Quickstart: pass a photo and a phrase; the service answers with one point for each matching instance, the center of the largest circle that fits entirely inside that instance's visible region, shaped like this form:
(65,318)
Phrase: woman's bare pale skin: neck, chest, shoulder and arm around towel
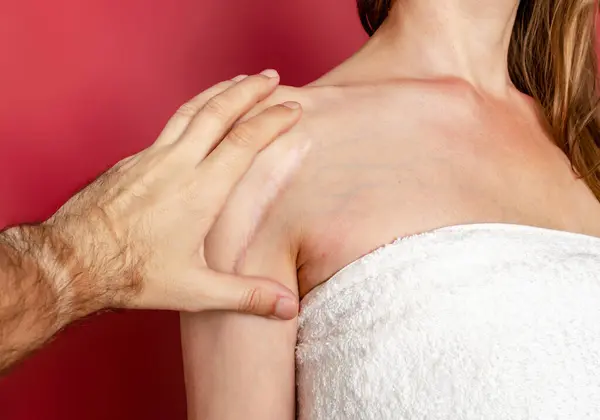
(420,129)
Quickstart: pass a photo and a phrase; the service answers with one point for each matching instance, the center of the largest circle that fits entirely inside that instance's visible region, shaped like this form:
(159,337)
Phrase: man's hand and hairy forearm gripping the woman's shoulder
(135,237)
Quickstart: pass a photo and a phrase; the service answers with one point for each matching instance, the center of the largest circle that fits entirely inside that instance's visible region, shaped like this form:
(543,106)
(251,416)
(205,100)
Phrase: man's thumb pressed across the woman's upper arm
(249,295)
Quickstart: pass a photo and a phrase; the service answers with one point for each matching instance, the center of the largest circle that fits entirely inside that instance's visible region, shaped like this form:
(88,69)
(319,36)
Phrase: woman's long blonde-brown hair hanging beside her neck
(552,57)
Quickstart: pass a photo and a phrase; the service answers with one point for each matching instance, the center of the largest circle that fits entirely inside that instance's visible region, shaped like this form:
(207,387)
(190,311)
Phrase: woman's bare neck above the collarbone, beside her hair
(466,40)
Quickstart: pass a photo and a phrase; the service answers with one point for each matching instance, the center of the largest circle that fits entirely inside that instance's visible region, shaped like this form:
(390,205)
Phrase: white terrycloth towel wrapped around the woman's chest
(481,322)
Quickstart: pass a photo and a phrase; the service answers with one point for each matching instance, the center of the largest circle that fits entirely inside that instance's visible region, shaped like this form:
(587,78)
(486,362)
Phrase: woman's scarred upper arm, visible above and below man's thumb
(242,366)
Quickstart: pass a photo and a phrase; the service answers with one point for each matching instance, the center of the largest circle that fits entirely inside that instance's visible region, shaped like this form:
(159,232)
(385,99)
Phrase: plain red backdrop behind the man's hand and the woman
(85,83)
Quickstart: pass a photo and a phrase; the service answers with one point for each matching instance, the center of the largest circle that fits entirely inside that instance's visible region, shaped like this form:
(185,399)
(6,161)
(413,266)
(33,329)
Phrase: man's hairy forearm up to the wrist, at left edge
(42,289)
